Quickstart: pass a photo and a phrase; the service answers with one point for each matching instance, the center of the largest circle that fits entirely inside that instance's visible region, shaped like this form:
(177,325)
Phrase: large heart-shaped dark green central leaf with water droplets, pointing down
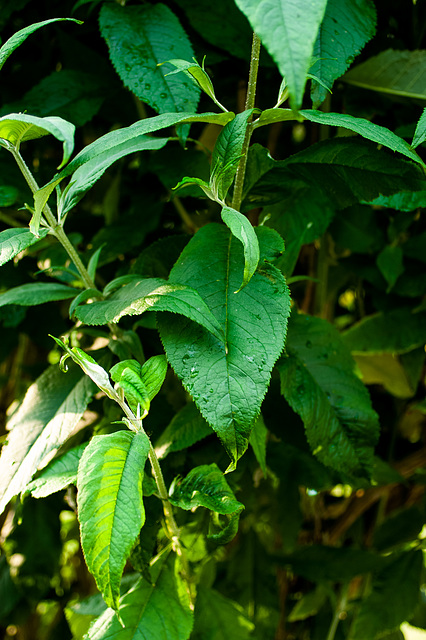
(228,382)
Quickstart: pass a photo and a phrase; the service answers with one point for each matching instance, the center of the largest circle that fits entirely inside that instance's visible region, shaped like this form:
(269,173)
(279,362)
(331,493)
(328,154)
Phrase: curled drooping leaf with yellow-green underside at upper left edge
(20,127)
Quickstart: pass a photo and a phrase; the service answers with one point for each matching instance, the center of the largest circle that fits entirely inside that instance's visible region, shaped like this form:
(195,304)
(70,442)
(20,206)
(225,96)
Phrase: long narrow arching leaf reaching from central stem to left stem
(112,146)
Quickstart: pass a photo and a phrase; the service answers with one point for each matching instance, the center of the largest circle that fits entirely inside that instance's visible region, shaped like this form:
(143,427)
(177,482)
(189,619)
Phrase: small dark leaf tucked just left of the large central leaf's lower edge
(186,428)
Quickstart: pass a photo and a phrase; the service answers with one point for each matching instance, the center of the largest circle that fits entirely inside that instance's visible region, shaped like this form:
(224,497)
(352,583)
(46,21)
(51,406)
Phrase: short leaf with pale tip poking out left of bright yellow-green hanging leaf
(58,475)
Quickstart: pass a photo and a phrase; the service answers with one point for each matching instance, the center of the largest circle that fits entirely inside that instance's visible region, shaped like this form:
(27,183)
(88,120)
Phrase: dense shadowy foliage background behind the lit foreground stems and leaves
(325,548)
